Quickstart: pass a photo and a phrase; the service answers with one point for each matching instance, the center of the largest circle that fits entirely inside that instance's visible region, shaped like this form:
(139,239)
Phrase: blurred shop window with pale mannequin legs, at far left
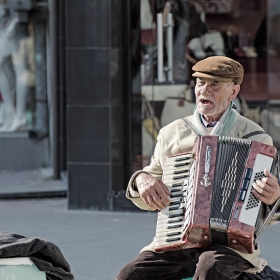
(24,116)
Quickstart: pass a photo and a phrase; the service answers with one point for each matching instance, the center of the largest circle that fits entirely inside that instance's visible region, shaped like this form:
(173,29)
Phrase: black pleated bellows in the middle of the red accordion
(230,161)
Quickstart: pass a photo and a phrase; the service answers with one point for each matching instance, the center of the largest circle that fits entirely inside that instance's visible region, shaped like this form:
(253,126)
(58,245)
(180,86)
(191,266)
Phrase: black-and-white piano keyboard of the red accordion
(171,220)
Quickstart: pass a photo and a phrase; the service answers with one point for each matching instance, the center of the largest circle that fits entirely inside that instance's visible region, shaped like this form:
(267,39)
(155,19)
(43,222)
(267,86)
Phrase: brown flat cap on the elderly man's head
(220,68)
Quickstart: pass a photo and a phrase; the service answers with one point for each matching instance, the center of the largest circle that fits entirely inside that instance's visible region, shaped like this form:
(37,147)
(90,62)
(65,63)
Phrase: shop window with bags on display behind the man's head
(169,37)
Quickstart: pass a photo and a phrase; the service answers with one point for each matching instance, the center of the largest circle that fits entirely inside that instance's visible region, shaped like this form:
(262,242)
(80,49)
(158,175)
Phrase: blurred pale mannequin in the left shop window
(18,75)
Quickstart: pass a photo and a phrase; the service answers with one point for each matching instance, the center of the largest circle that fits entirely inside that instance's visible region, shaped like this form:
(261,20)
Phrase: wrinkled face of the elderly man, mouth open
(213,97)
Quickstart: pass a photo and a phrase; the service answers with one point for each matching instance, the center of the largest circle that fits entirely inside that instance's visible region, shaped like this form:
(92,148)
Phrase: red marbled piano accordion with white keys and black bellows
(211,198)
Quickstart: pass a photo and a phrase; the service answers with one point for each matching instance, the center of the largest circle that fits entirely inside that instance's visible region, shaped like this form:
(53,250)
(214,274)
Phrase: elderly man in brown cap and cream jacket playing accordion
(217,85)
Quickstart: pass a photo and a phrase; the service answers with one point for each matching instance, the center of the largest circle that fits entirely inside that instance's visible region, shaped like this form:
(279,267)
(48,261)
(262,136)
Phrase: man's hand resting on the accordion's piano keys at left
(152,191)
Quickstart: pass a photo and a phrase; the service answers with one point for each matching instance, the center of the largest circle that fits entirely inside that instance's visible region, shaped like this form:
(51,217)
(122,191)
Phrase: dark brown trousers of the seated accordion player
(216,262)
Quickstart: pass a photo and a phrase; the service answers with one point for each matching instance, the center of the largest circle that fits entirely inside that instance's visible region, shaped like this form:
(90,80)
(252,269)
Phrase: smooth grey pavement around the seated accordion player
(96,243)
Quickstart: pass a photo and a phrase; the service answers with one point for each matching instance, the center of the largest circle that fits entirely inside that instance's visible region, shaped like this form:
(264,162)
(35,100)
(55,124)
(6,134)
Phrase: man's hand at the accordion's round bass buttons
(267,190)
